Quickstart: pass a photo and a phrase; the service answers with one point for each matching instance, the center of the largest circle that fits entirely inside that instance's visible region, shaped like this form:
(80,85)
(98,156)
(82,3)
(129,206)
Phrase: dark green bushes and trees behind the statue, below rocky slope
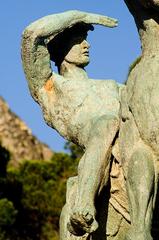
(32,196)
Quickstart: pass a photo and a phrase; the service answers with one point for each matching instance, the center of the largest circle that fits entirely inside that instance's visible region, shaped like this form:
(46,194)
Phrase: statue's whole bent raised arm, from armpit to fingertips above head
(35,56)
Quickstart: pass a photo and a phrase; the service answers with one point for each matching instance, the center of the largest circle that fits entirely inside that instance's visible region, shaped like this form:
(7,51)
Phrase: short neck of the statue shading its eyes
(71,71)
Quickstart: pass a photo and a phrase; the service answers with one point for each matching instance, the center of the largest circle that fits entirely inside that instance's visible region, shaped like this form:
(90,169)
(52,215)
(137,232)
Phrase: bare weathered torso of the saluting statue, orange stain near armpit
(73,104)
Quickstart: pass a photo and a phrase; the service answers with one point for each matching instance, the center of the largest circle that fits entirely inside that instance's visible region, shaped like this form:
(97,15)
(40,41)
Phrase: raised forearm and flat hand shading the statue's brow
(55,23)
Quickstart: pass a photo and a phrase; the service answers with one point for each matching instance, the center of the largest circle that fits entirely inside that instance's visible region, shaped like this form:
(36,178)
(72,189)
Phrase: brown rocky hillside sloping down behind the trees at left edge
(16,137)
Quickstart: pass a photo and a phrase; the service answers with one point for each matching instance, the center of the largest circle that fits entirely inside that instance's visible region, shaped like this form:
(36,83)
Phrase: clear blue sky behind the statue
(111,53)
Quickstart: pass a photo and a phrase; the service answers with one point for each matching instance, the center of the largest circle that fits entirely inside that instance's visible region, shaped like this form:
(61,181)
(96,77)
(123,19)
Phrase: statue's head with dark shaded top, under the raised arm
(71,46)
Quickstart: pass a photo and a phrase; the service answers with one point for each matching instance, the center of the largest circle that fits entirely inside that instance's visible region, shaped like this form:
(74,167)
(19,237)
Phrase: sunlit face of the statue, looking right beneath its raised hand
(78,53)
